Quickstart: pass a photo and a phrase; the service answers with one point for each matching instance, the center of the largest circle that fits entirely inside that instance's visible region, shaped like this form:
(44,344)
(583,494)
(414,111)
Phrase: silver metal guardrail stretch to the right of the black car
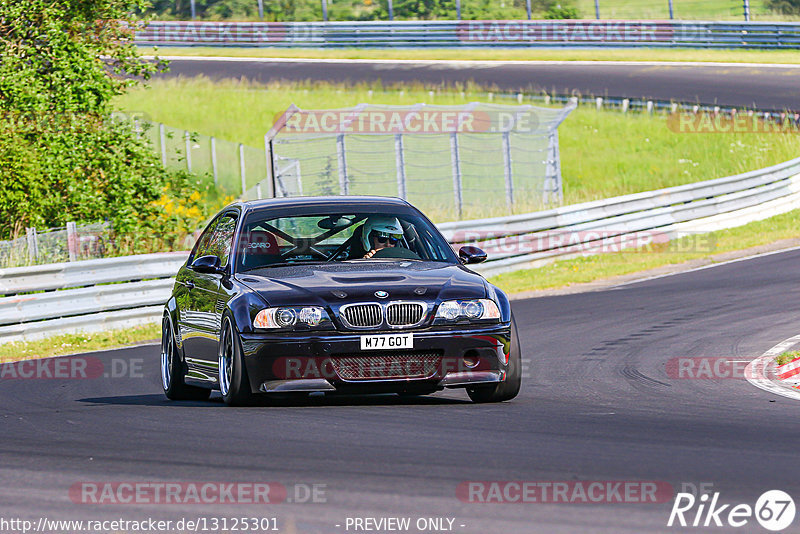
(521,241)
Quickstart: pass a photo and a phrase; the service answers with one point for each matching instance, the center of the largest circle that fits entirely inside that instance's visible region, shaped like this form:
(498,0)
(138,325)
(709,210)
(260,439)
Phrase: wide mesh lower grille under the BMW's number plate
(390,366)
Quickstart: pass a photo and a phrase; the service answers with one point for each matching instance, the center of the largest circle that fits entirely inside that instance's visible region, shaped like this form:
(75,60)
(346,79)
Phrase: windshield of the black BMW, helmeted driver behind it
(272,241)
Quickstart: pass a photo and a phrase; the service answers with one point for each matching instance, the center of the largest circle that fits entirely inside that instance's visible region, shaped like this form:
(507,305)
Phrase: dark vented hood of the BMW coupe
(339,283)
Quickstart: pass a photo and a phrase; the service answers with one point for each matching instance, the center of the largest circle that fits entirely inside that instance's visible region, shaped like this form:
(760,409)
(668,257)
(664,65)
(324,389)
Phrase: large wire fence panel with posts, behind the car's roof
(452,161)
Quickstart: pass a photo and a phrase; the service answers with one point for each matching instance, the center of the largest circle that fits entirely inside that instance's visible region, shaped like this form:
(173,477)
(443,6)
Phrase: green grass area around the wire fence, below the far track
(603,153)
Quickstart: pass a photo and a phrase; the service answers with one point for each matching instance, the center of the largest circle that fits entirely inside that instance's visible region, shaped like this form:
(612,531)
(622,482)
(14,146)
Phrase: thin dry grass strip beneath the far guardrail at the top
(496,54)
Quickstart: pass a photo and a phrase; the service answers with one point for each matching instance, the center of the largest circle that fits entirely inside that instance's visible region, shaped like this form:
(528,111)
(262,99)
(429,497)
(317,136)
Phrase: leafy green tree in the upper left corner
(61,157)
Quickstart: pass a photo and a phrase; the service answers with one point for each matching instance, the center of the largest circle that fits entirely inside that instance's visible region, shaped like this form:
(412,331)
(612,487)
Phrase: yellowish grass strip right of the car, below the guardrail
(603,266)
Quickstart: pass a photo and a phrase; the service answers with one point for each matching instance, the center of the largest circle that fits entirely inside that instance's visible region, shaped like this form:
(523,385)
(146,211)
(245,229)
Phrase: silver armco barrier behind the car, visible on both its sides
(514,242)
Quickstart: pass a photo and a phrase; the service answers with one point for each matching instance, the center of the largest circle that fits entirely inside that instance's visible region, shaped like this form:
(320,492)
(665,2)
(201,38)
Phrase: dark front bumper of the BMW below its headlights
(313,361)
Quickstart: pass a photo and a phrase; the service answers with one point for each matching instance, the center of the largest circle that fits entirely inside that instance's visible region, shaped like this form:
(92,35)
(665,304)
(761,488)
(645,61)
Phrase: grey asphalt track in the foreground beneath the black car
(596,404)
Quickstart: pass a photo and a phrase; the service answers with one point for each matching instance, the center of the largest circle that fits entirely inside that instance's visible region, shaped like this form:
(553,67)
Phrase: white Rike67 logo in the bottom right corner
(774,510)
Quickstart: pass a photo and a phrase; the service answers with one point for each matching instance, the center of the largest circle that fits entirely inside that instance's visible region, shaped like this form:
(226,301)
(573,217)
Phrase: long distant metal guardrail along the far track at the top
(474,33)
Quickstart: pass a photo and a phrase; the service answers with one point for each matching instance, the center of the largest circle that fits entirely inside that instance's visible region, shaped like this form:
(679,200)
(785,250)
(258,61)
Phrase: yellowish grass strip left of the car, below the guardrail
(65,344)
